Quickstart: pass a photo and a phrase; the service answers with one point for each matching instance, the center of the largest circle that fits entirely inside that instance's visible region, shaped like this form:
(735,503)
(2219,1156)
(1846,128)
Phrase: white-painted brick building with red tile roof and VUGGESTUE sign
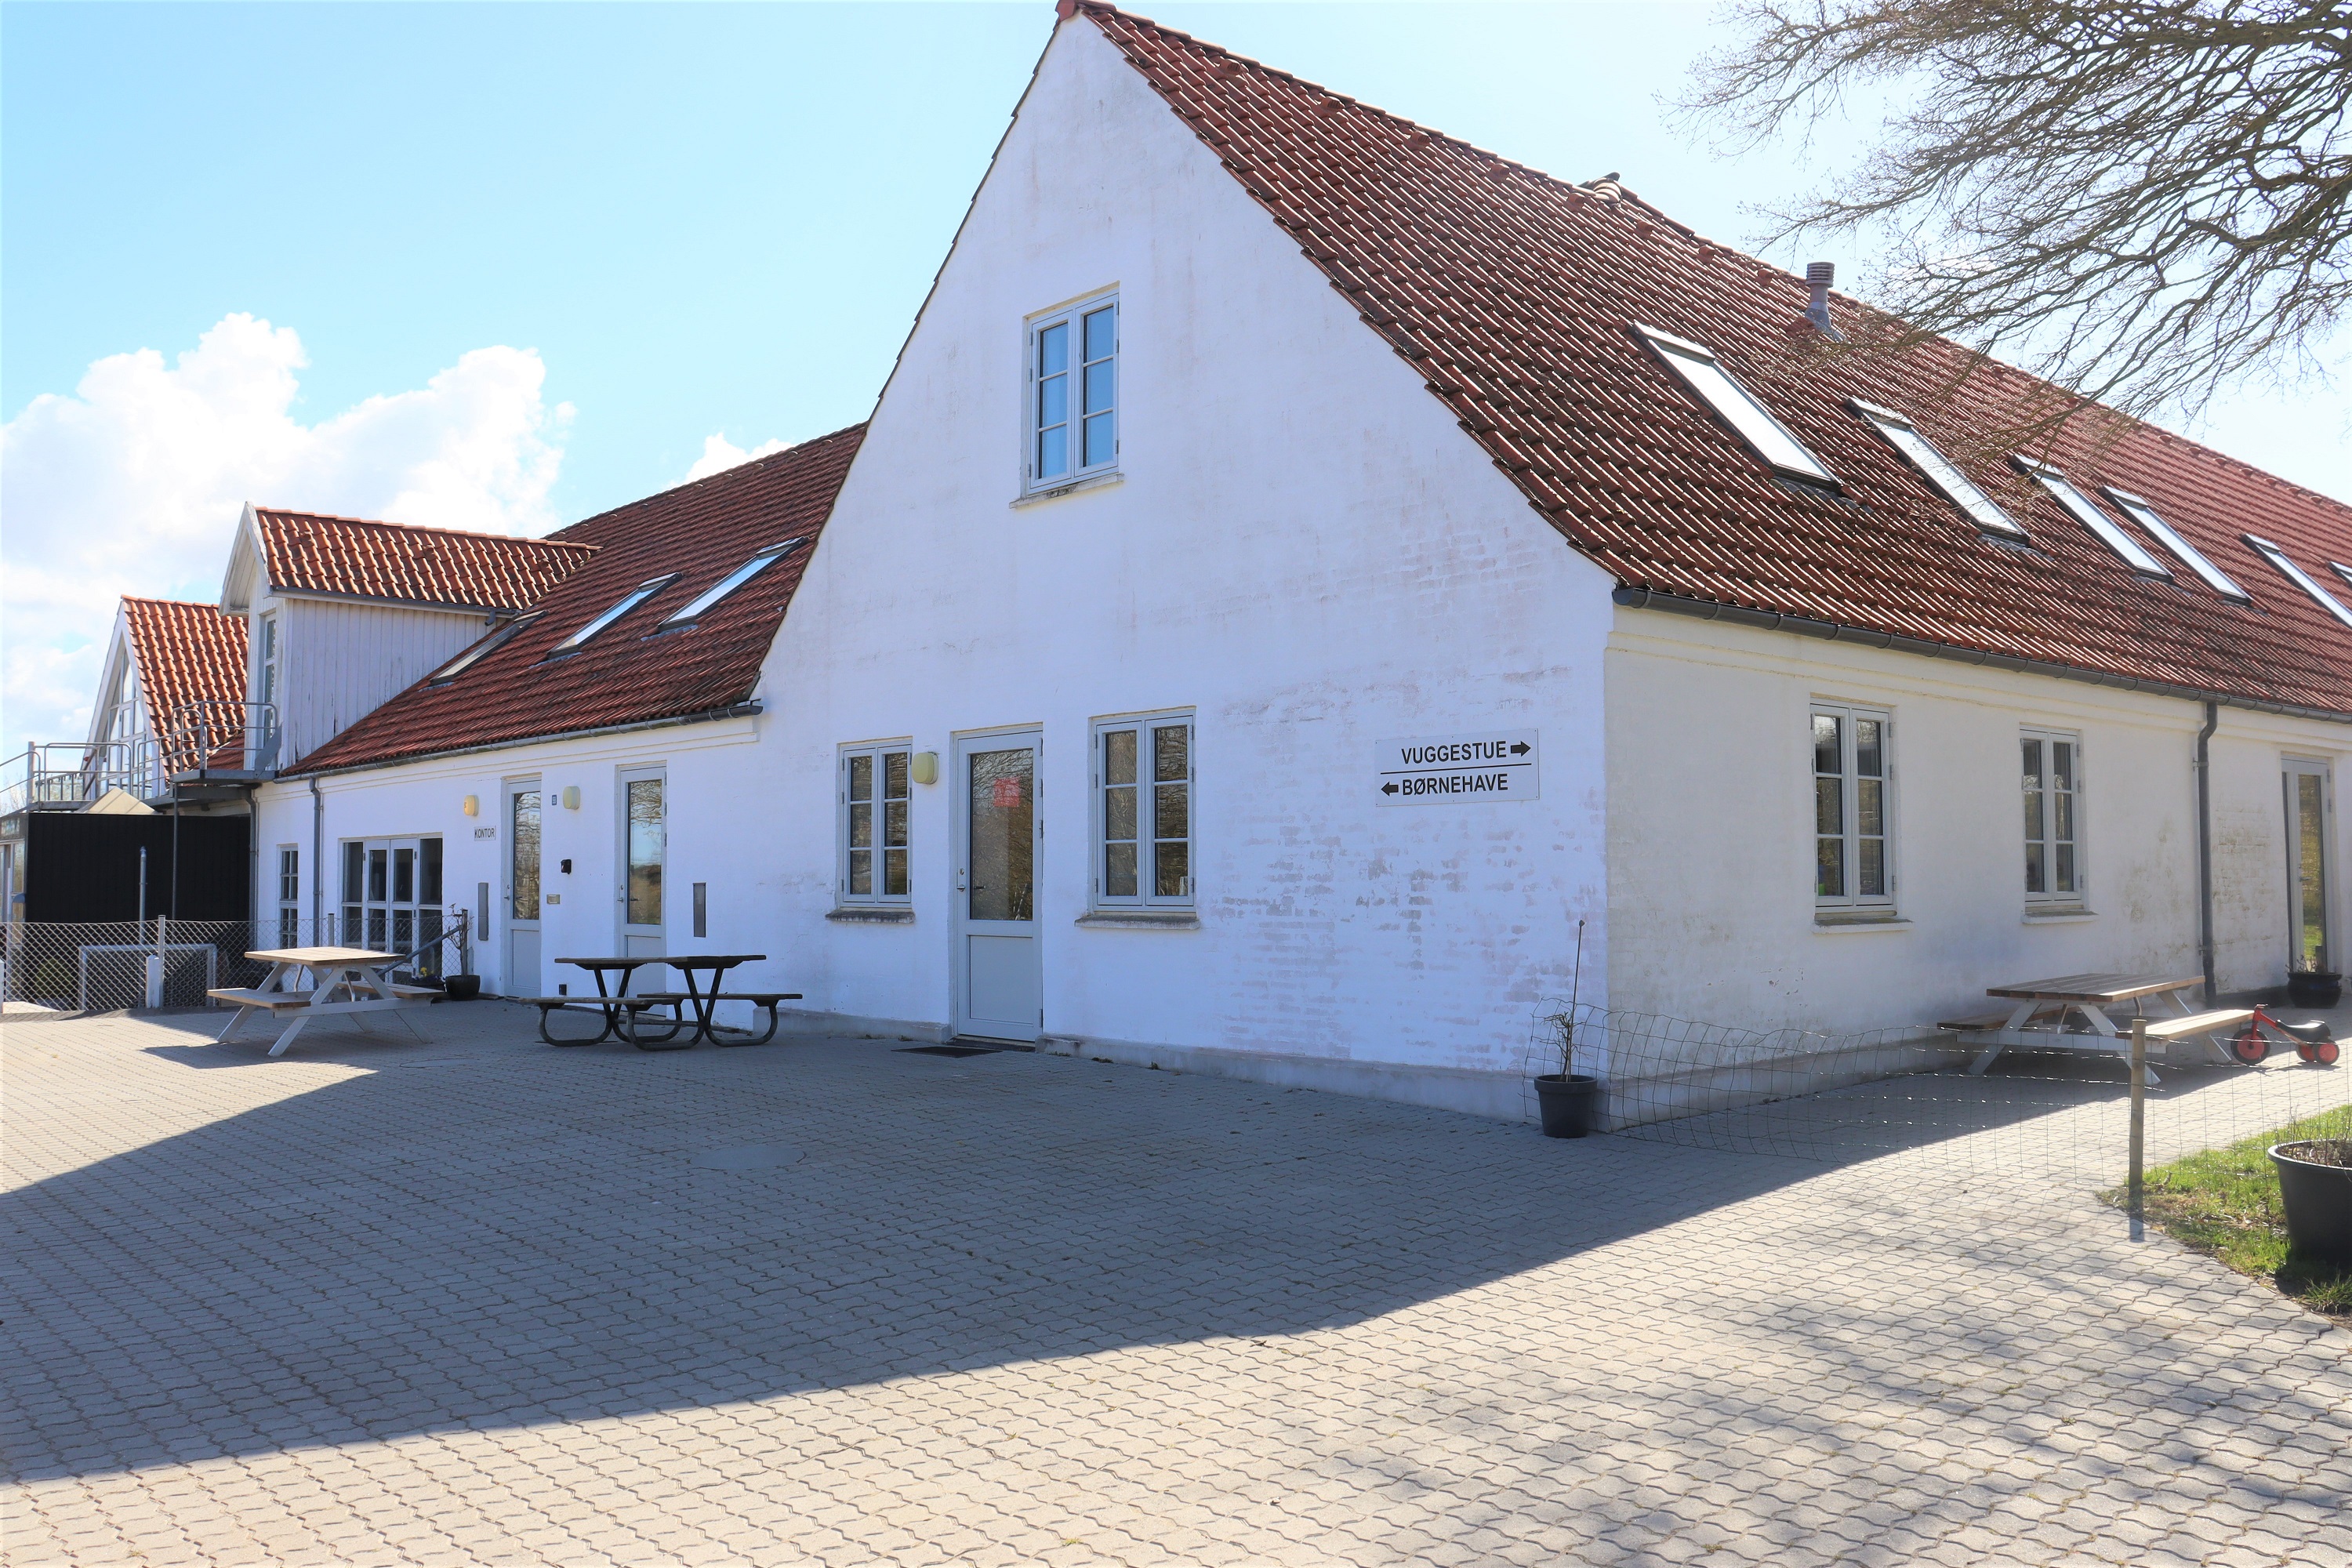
(1304,565)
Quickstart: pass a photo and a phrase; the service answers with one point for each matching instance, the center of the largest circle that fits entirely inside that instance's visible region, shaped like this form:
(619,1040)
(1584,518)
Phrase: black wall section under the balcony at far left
(83,866)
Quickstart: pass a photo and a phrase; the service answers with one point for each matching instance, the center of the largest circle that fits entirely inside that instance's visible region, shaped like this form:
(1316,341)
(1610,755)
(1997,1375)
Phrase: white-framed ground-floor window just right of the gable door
(1144,812)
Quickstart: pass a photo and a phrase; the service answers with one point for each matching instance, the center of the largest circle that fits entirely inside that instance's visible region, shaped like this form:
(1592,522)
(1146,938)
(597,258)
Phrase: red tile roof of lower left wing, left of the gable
(624,674)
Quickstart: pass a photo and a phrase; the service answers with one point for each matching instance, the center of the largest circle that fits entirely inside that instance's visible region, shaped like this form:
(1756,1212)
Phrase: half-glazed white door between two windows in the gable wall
(1001,831)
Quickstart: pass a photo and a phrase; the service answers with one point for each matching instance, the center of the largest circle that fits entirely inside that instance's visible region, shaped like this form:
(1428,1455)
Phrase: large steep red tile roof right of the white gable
(1514,297)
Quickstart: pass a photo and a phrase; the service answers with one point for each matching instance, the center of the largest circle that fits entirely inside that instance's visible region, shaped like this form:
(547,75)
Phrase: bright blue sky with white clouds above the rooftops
(646,225)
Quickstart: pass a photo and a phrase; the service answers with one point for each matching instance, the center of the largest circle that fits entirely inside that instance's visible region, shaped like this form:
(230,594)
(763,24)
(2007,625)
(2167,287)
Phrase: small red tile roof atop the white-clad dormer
(387,561)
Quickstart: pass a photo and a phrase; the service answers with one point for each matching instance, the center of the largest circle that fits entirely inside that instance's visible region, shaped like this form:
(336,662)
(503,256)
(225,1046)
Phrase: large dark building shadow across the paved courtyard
(530,1235)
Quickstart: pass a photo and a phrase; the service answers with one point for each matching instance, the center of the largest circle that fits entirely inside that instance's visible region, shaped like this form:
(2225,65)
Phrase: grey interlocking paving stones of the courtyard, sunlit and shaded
(476,1304)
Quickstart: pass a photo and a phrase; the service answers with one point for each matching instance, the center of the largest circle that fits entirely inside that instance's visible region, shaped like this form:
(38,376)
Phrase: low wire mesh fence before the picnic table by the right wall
(1843,1097)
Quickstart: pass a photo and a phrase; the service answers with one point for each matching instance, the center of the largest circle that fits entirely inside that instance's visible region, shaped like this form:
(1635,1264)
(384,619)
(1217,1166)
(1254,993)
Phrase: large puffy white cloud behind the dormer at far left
(135,485)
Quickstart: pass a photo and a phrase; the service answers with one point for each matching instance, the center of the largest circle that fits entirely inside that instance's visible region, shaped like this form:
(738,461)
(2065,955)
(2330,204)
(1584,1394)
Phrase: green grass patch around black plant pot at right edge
(2226,1205)
